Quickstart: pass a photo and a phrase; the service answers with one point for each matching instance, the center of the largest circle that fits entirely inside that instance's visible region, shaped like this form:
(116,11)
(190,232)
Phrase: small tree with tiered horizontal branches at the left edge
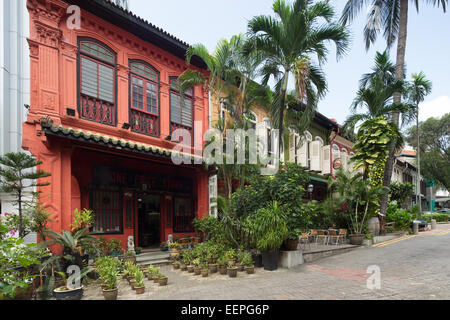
(18,175)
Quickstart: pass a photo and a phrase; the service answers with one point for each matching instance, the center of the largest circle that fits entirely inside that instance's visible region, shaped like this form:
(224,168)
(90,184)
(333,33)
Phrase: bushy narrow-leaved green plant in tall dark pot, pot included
(269,225)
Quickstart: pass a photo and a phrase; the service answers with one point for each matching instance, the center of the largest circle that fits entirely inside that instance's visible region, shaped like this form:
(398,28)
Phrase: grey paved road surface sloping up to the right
(412,267)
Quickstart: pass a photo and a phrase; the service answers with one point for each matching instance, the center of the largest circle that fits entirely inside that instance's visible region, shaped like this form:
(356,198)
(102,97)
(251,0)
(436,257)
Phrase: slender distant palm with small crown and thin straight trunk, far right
(418,88)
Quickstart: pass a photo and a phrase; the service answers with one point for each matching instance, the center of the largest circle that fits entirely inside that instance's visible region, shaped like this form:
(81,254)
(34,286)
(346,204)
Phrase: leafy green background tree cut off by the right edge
(434,148)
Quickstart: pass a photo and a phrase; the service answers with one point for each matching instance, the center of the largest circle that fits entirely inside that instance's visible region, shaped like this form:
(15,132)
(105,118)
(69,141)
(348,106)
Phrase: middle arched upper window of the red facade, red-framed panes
(144,98)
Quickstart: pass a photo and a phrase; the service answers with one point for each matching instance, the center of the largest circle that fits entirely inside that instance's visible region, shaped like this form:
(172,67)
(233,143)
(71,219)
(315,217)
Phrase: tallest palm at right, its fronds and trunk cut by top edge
(391,18)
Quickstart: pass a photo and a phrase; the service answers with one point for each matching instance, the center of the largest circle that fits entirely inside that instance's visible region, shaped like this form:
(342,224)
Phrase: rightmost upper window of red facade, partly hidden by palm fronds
(181,113)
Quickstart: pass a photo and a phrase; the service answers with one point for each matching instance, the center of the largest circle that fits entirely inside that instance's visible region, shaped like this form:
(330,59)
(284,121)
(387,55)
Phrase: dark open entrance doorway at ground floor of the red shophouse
(149,220)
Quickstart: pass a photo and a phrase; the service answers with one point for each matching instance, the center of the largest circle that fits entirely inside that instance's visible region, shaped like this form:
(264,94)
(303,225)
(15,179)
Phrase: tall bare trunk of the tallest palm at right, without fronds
(399,72)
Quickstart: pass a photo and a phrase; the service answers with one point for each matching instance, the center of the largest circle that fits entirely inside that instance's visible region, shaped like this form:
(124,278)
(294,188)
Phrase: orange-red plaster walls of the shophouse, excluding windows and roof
(53,89)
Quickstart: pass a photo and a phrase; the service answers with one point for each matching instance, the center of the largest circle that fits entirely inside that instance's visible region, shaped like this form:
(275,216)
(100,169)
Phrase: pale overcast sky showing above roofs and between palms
(428,44)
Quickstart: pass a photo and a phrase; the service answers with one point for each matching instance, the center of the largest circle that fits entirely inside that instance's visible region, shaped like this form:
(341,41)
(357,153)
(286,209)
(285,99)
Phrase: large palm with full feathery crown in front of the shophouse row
(287,43)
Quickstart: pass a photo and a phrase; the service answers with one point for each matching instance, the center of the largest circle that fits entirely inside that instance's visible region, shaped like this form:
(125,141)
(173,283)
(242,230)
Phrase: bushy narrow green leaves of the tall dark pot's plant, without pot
(269,227)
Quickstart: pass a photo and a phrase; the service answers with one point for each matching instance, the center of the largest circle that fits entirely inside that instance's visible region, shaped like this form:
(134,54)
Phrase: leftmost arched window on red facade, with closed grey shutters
(97,82)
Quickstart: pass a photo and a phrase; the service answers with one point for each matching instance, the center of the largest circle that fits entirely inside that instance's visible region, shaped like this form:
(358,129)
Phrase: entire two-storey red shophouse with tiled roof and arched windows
(103,109)
